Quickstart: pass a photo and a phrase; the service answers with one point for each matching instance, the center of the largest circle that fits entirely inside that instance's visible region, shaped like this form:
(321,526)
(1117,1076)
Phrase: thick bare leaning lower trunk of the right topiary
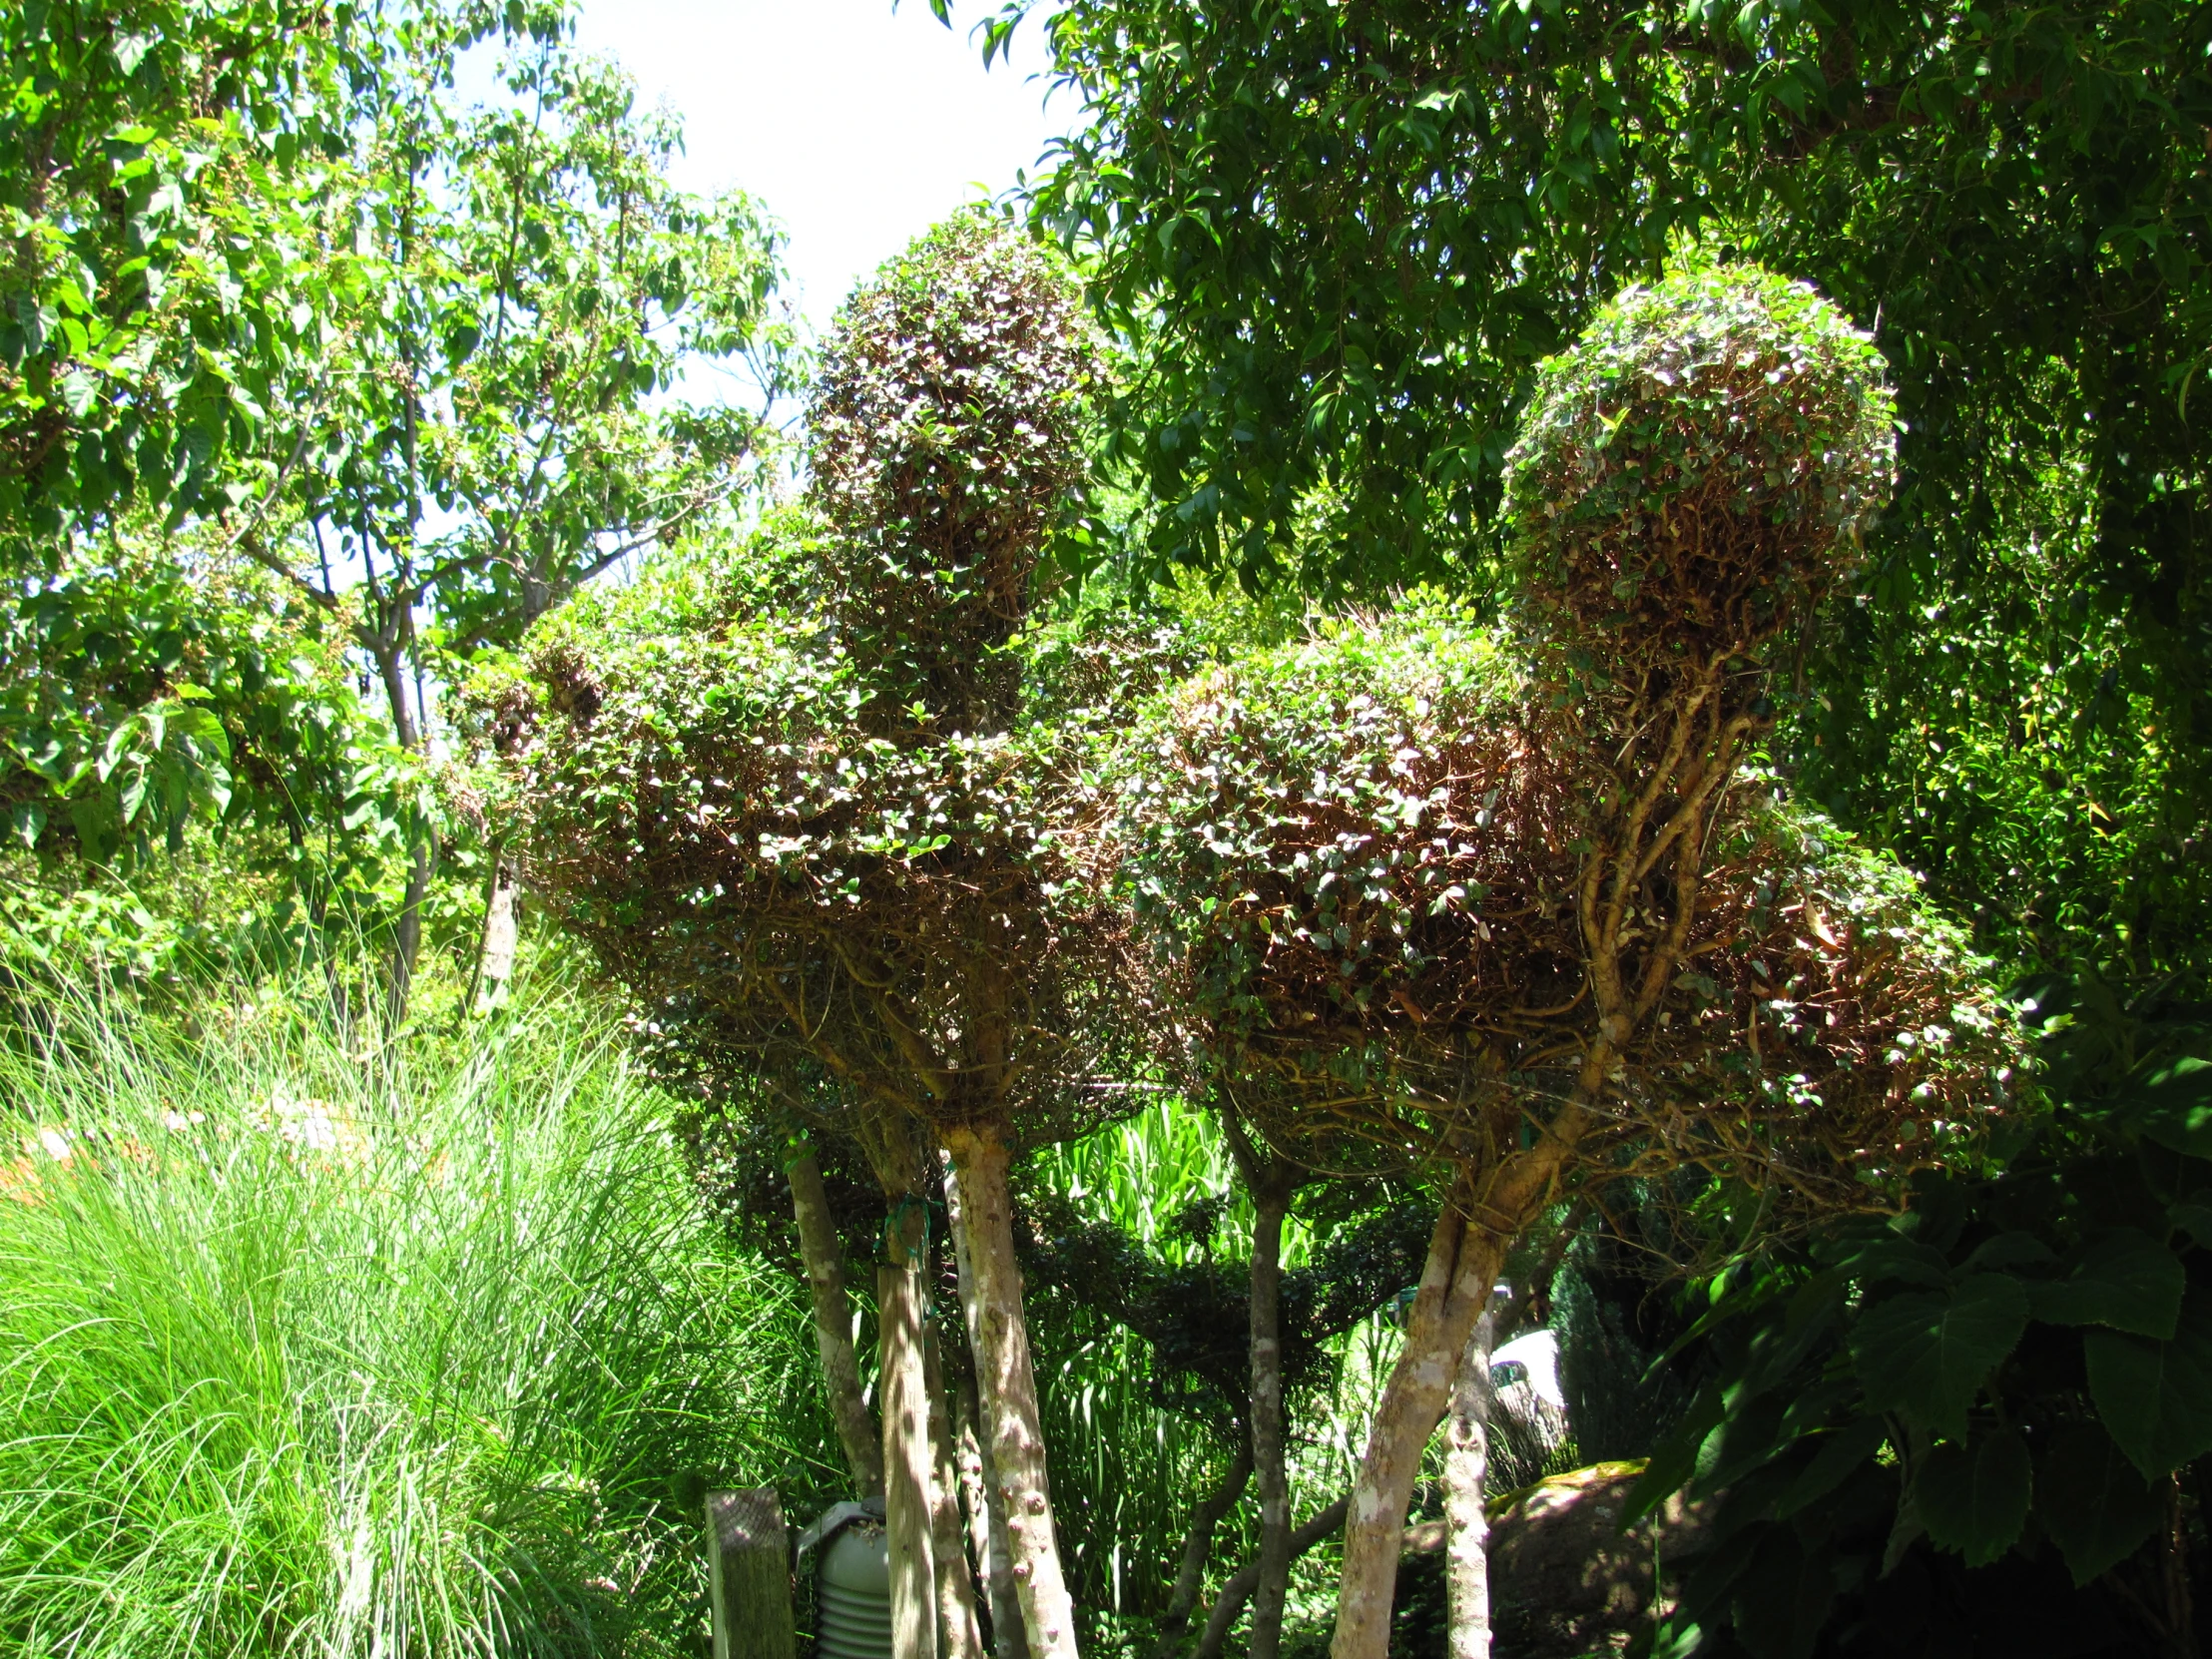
(1454,1291)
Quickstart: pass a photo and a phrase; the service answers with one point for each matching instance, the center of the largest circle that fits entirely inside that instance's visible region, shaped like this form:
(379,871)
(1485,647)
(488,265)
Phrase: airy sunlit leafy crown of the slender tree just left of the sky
(508,359)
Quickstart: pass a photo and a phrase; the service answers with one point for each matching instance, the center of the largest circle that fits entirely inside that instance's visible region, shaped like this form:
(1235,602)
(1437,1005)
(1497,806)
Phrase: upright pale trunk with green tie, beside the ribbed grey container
(906,1437)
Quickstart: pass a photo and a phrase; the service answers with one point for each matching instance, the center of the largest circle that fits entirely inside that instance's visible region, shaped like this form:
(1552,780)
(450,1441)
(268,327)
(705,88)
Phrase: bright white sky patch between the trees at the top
(851,125)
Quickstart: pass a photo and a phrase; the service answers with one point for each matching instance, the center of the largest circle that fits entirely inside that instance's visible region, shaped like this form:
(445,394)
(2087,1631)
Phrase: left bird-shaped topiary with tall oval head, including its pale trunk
(800,804)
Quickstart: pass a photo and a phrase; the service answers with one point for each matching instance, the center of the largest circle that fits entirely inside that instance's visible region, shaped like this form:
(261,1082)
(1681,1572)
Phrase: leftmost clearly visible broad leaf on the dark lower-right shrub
(1928,1355)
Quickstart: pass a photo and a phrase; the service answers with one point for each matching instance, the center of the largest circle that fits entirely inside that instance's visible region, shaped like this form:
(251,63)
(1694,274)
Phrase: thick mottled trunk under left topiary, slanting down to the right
(1010,1386)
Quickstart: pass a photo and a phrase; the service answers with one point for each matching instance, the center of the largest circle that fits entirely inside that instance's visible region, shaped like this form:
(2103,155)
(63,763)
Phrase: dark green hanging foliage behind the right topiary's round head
(1342,240)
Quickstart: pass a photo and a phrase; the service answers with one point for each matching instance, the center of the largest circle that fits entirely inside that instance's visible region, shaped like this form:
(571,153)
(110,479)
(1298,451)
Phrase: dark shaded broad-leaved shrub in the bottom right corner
(2016,1373)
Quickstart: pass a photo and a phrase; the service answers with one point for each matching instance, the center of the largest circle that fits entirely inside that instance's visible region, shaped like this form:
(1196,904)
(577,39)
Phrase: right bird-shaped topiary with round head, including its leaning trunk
(1521,901)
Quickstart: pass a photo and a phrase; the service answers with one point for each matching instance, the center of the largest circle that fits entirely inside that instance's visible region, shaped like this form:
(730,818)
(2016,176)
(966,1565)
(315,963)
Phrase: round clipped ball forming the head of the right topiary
(1698,470)
